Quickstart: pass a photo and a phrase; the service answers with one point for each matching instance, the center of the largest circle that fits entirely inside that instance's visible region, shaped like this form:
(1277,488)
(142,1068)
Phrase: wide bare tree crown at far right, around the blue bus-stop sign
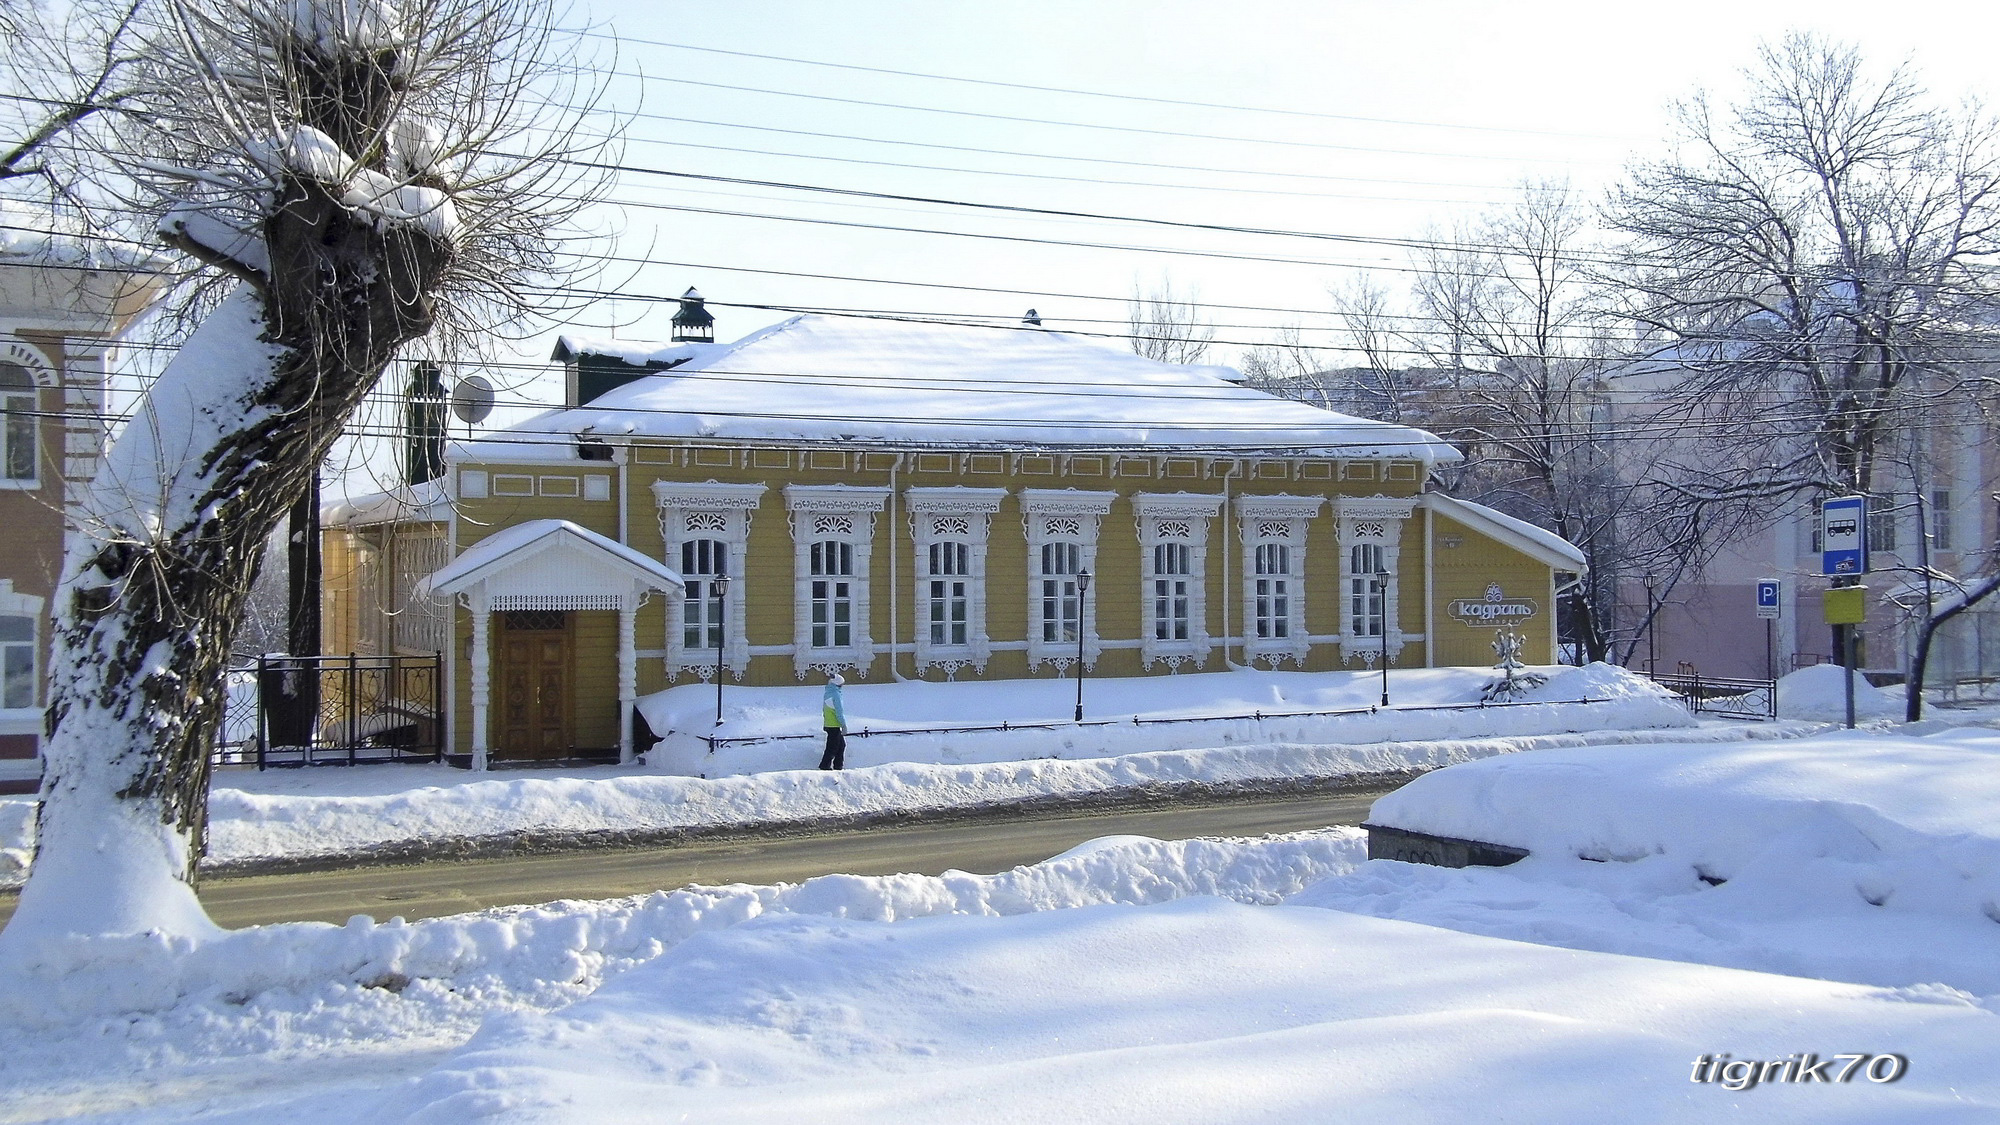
(1819,259)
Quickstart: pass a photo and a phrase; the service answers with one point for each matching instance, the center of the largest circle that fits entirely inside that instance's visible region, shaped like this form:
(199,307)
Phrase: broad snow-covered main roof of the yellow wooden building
(897,381)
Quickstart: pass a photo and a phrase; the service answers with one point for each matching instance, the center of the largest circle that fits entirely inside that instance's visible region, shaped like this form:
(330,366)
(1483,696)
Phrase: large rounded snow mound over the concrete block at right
(1849,858)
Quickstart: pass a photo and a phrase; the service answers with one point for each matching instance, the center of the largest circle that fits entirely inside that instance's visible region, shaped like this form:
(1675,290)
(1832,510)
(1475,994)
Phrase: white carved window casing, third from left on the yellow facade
(951,529)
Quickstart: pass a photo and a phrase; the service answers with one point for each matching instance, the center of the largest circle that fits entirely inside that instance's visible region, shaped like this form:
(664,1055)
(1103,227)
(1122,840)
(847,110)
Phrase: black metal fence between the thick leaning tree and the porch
(289,712)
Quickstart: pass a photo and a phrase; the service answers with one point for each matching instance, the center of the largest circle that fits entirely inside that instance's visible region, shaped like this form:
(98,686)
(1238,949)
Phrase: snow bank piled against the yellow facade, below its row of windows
(779,728)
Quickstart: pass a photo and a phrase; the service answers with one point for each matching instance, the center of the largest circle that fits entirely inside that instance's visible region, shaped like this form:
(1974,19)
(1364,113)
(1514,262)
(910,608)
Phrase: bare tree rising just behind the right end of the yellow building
(1519,325)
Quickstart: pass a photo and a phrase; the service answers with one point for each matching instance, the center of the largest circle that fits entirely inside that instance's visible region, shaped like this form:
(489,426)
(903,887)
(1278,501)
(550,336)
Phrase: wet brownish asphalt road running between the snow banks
(985,844)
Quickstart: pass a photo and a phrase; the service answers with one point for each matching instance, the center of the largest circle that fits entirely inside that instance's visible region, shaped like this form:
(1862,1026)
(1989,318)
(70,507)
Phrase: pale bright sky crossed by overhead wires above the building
(1327,121)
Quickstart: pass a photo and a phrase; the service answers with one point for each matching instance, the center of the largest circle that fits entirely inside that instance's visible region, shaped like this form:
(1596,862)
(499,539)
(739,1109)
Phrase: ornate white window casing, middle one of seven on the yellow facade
(1063,539)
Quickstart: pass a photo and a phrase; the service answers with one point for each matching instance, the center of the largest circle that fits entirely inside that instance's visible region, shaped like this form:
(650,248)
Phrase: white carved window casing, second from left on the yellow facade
(833,541)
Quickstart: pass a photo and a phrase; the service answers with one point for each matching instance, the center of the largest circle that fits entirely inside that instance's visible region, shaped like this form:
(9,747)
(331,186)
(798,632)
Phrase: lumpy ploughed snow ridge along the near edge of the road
(467,966)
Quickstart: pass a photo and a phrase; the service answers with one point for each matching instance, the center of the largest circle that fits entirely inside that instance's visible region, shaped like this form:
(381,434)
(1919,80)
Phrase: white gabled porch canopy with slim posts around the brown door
(551,566)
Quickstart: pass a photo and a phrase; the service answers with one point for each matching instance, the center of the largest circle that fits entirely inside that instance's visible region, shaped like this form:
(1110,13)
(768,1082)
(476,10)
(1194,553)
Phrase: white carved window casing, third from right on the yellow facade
(1173,531)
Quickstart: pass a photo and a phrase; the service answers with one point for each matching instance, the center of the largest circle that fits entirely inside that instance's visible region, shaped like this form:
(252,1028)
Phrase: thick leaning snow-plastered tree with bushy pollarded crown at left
(361,177)
